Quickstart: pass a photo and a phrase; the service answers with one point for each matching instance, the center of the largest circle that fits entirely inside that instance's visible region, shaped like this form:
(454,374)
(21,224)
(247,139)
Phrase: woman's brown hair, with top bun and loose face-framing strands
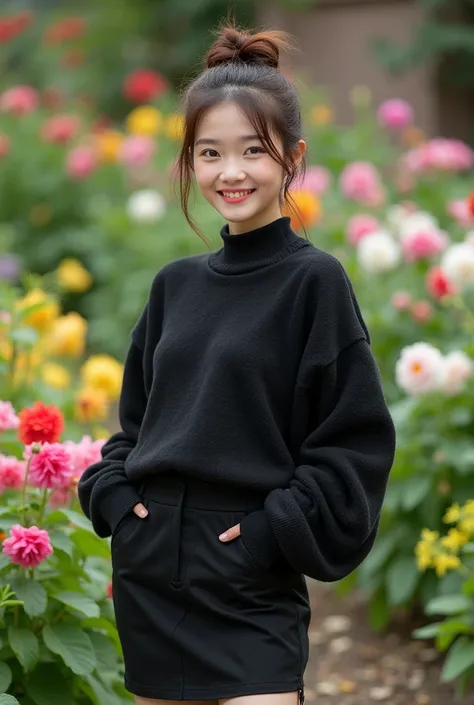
(244,68)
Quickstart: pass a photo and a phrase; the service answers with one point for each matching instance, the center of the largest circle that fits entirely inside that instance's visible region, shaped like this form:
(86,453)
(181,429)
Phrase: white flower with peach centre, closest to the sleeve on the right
(420,369)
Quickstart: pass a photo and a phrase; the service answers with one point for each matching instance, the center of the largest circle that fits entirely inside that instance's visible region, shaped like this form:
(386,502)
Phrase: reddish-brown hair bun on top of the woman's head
(260,48)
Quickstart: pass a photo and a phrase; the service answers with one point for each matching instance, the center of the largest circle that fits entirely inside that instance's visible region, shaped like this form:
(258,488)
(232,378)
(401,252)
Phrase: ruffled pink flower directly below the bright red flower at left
(51,467)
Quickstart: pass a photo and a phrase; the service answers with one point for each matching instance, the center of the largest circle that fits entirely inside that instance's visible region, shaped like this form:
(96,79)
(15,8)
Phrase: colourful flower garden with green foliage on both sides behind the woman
(88,214)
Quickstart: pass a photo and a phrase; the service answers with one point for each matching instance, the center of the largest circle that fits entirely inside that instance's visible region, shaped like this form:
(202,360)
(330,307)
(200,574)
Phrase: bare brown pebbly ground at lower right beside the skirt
(349,664)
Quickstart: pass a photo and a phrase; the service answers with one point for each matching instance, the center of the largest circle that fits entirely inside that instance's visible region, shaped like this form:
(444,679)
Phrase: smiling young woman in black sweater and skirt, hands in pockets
(256,443)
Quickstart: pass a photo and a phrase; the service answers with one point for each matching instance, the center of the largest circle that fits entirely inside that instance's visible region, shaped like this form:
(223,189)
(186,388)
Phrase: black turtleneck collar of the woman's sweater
(256,248)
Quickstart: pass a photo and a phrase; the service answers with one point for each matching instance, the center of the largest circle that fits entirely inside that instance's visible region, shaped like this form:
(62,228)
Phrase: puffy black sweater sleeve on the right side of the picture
(325,522)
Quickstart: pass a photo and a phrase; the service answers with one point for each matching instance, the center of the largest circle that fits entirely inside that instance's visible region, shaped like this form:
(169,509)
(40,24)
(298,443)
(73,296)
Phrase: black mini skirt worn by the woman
(198,619)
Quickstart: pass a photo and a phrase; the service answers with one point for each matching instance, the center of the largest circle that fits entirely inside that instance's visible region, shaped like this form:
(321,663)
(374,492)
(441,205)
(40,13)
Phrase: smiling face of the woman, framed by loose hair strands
(234,172)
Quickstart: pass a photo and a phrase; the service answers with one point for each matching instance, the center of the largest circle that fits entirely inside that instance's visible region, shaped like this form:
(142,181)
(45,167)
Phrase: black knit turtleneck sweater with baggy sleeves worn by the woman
(251,366)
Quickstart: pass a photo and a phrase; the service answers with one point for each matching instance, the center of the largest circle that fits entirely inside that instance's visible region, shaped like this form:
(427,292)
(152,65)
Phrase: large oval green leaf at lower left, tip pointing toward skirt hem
(73,645)
